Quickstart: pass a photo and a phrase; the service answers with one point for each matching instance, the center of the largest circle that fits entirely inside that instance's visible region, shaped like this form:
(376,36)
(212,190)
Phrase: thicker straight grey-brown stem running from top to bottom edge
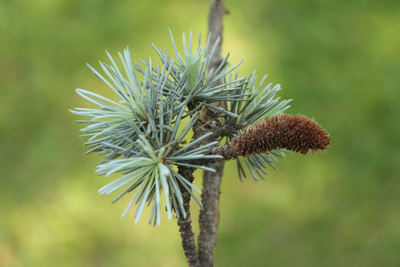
(209,215)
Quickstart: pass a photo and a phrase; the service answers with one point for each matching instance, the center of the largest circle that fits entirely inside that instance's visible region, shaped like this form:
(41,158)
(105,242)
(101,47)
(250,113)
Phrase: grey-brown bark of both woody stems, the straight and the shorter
(209,215)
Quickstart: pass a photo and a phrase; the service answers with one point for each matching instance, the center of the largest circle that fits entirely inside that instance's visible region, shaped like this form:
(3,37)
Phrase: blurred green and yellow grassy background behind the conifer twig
(338,60)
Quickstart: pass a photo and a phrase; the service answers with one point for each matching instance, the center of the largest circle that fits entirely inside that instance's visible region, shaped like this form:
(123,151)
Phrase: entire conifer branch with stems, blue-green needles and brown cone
(141,134)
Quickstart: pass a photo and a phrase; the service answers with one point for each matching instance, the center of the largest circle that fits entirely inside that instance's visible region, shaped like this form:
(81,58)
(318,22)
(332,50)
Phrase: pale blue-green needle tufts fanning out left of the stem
(140,136)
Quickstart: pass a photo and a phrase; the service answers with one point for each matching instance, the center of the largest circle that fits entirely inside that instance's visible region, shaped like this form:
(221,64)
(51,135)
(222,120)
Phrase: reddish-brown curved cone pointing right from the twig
(296,133)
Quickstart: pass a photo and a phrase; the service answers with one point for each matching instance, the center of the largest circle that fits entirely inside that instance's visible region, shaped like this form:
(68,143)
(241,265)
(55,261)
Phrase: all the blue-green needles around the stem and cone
(141,135)
